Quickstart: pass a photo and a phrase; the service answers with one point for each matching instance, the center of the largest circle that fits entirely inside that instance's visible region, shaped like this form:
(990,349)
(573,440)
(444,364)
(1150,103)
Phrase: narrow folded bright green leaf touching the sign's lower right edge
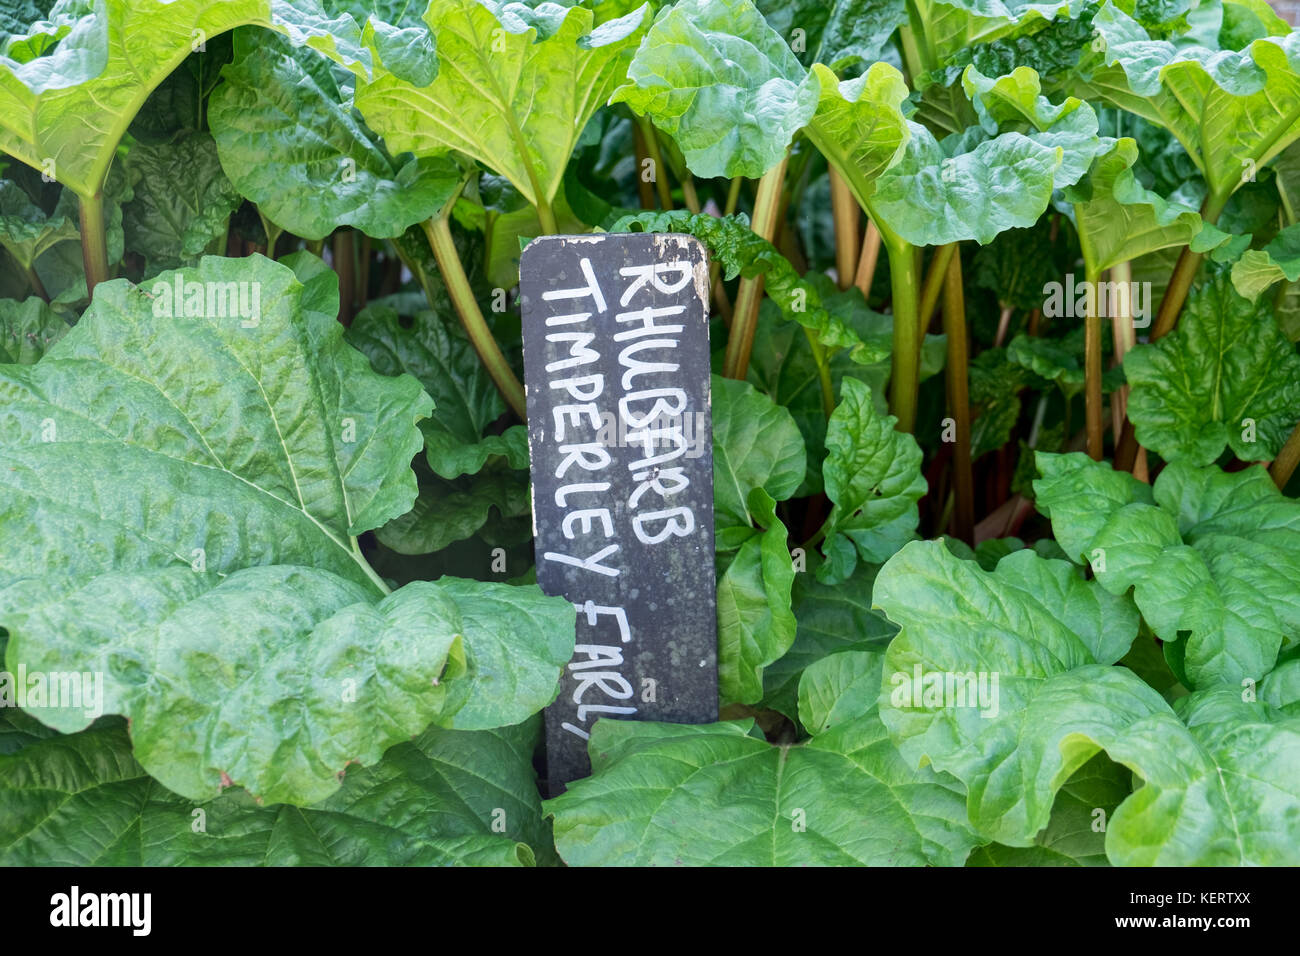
(756,625)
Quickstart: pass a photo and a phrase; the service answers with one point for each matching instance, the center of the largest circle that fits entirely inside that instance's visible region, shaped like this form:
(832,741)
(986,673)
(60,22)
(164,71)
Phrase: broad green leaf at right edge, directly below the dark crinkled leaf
(1214,557)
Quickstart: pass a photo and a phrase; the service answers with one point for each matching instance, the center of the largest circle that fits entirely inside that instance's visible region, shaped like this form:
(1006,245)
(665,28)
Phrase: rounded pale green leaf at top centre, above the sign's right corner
(716,77)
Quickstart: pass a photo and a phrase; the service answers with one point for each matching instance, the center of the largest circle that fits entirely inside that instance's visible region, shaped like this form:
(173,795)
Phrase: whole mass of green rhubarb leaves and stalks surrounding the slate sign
(1007,427)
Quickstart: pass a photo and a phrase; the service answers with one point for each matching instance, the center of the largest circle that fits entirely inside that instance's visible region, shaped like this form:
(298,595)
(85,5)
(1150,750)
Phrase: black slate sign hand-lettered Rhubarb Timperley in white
(617,373)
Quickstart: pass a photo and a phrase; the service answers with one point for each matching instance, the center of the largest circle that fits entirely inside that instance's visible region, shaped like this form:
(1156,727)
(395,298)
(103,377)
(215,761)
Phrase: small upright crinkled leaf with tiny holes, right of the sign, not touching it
(874,482)
